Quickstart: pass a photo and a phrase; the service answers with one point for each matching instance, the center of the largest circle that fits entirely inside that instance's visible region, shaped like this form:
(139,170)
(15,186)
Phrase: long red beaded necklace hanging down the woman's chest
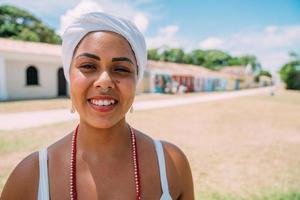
(73,190)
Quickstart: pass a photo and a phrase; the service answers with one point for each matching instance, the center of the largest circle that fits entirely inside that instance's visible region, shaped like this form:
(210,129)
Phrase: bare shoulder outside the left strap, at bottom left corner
(22,182)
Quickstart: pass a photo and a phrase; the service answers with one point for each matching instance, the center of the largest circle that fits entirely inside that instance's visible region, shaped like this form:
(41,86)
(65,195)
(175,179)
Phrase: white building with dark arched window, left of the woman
(30,70)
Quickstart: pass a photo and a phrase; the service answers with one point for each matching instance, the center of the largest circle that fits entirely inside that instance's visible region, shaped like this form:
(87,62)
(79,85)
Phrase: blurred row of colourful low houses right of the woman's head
(165,77)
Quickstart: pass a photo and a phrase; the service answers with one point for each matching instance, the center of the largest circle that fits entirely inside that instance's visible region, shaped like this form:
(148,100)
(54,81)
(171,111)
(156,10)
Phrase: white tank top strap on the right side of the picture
(162,170)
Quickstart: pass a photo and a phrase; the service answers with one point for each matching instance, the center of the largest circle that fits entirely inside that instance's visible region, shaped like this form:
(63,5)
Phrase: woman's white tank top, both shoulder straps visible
(43,192)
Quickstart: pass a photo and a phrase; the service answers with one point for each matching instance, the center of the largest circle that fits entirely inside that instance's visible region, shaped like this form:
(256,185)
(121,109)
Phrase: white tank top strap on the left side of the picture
(43,193)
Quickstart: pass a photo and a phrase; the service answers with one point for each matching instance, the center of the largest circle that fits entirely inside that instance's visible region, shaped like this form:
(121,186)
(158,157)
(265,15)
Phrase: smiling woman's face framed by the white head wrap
(103,71)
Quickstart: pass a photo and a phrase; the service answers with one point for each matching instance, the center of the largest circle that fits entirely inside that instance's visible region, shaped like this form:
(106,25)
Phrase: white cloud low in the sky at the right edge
(270,45)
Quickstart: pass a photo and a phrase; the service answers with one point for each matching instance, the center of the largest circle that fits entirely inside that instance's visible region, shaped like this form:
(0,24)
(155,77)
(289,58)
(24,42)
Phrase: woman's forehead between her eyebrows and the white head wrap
(103,42)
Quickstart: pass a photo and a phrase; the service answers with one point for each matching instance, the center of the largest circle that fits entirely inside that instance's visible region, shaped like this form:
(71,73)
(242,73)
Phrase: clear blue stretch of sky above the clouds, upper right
(223,17)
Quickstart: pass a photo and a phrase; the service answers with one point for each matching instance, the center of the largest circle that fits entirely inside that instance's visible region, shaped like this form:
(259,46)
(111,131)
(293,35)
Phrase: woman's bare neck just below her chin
(107,141)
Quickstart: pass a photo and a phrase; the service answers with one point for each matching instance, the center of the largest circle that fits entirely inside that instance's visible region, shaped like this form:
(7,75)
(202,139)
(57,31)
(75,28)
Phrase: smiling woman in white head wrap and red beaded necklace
(103,158)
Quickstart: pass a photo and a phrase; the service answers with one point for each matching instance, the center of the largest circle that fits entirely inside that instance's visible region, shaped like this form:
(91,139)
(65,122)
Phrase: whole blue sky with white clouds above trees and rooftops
(268,29)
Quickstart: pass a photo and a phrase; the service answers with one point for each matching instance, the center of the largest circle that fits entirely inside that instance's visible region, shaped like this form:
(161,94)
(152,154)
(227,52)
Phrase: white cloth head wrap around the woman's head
(98,21)
